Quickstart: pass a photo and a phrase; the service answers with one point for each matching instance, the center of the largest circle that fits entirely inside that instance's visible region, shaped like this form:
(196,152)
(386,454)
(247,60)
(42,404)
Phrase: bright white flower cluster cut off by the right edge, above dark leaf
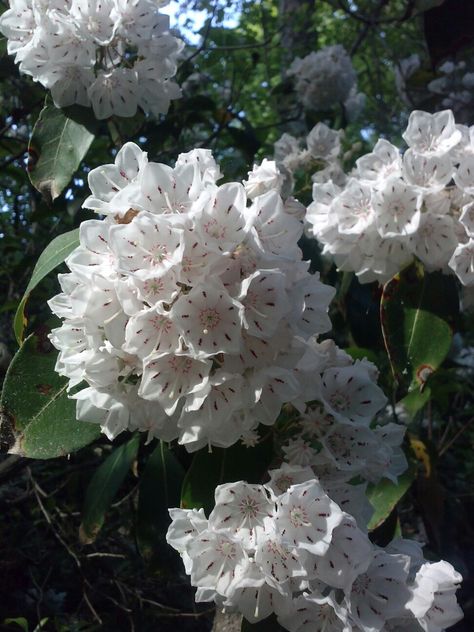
(393,208)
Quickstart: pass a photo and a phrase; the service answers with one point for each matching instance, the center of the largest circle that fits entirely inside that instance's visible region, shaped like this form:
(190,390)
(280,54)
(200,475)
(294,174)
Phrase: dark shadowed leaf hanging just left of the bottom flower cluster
(159,490)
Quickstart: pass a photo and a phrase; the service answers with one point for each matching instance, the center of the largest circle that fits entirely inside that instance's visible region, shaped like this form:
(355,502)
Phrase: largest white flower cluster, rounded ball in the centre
(188,311)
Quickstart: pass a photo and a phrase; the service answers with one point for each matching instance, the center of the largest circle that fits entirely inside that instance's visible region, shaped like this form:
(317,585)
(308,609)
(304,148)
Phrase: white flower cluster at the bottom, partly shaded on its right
(297,554)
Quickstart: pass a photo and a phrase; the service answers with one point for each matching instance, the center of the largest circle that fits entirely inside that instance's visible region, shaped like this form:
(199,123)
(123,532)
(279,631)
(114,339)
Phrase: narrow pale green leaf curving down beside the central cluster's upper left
(50,258)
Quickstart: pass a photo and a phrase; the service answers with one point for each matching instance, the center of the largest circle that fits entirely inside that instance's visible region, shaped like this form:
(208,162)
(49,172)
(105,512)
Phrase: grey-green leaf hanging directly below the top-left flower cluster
(59,142)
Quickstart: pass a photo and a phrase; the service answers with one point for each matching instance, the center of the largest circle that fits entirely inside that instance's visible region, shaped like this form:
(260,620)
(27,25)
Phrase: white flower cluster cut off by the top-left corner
(115,55)
